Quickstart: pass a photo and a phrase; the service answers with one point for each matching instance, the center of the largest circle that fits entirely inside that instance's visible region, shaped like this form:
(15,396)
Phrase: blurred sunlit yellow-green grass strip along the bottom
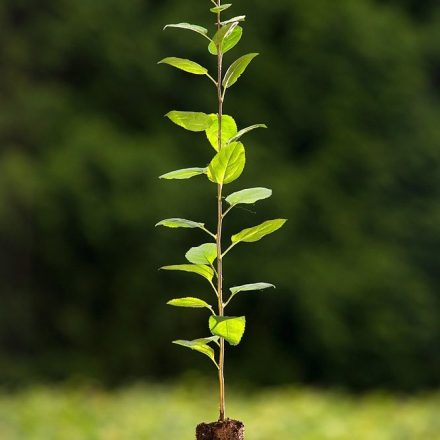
(155,412)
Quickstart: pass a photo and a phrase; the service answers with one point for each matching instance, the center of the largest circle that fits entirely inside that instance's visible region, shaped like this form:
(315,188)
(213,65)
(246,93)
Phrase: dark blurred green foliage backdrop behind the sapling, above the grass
(350,91)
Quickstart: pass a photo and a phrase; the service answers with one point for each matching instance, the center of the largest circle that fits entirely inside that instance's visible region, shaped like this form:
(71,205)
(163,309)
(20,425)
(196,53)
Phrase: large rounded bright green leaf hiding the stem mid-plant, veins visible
(228,164)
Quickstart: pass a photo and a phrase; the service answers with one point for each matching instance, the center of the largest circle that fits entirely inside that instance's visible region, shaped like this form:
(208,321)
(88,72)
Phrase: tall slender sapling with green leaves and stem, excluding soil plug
(226,166)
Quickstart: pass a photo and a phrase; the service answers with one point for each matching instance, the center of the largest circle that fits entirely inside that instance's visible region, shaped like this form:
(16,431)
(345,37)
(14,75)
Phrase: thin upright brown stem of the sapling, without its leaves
(221,362)
